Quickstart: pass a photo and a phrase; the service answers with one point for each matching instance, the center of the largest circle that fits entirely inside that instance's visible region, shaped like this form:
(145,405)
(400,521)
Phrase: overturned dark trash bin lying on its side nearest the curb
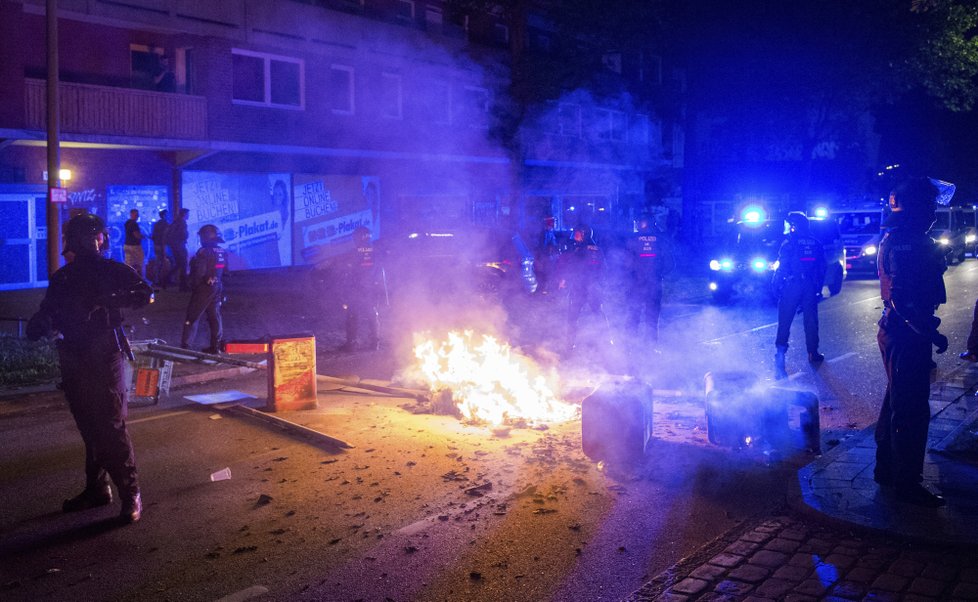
(741,412)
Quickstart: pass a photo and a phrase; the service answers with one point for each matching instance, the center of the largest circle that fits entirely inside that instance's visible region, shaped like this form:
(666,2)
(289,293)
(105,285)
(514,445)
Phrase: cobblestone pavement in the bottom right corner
(793,559)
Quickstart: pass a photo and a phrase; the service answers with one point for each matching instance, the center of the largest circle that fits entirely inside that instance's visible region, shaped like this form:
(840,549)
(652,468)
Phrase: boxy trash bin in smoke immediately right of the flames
(616,422)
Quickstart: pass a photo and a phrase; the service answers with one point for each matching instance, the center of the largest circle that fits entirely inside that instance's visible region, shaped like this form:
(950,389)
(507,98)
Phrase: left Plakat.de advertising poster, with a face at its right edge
(253,211)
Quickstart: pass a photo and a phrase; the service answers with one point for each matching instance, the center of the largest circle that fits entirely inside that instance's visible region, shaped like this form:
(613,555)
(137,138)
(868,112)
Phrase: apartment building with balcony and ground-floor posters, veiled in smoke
(289,123)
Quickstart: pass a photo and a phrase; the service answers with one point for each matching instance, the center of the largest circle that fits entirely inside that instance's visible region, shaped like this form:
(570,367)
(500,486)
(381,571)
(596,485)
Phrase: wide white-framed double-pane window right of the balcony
(265,79)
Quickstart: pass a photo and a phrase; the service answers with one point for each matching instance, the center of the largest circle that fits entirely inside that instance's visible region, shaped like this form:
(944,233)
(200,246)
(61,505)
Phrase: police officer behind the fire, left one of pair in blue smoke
(580,269)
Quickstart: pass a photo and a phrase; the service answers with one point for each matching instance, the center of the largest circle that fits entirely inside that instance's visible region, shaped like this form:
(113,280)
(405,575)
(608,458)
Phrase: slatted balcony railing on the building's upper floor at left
(103,110)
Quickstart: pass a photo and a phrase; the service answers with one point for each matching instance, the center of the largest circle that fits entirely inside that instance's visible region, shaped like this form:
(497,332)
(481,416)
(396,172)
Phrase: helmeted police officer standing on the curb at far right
(911,267)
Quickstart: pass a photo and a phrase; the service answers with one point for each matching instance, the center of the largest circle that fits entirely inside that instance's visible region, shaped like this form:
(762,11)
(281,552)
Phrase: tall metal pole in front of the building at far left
(54,146)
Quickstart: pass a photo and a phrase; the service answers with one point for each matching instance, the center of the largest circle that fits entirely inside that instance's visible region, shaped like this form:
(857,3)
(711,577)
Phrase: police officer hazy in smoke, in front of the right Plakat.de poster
(361,291)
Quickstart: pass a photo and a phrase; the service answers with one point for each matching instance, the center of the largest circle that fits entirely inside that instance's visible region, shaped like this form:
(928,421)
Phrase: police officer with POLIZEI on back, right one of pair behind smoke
(651,258)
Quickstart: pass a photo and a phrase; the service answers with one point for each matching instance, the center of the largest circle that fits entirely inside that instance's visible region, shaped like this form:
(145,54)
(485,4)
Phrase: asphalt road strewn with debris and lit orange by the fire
(424,507)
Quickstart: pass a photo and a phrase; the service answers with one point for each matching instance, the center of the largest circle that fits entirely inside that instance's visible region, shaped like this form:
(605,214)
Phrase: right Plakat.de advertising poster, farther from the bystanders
(327,210)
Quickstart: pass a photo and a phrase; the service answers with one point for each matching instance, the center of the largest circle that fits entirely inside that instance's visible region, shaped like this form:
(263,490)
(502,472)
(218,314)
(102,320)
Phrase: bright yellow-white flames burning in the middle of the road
(489,381)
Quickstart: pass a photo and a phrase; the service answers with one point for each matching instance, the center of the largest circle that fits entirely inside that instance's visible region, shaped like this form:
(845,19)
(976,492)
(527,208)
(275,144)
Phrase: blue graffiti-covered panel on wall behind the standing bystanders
(149,200)
